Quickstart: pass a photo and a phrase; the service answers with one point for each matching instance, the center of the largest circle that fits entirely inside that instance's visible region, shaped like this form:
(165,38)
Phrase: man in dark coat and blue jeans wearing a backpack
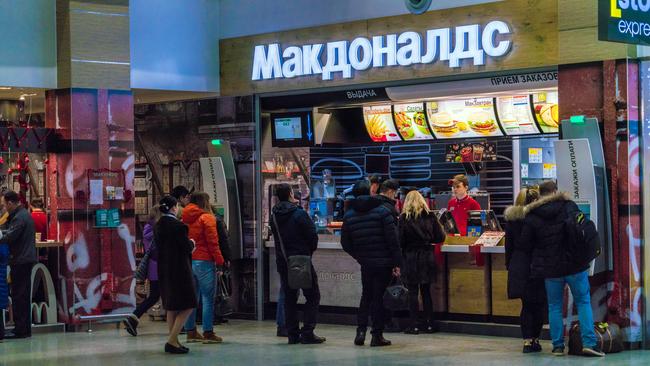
(545,227)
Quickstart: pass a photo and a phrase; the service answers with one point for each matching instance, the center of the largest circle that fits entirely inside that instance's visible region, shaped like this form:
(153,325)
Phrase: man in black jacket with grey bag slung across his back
(294,231)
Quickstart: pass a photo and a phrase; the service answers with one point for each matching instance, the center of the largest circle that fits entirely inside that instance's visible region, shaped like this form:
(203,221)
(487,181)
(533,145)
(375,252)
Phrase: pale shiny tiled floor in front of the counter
(254,344)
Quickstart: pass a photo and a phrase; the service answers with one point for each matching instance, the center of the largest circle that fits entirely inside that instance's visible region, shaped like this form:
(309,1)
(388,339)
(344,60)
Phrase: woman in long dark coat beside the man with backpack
(518,260)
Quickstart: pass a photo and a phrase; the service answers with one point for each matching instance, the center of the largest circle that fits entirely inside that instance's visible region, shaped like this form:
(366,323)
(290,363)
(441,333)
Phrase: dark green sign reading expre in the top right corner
(626,21)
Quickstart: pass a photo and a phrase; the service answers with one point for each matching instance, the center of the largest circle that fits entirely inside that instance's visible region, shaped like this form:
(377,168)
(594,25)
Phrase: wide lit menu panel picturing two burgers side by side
(463,118)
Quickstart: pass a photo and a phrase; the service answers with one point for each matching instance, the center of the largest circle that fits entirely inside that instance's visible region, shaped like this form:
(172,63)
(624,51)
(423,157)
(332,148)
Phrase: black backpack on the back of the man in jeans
(583,242)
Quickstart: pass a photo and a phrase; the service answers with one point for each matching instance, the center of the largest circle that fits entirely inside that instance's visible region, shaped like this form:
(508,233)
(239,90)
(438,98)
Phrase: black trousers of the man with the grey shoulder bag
(310,309)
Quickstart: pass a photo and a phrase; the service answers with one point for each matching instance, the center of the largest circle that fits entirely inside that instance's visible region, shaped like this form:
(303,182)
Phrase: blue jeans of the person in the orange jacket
(206,285)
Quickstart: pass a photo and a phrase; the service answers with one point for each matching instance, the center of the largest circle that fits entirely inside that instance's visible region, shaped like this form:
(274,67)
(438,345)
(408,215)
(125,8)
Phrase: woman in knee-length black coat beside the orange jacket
(174,271)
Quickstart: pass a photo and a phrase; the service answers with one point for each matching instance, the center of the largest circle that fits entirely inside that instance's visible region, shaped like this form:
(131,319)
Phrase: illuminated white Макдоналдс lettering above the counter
(471,42)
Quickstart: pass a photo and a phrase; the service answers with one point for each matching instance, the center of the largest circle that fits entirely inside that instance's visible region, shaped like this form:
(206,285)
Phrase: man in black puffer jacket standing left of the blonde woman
(369,235)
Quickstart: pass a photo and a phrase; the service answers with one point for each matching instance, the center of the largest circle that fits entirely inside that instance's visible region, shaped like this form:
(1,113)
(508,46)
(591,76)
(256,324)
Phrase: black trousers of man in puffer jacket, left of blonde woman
(374,281)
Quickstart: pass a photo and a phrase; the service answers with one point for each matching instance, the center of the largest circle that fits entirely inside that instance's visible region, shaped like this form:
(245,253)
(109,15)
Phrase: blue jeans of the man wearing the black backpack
(579,286)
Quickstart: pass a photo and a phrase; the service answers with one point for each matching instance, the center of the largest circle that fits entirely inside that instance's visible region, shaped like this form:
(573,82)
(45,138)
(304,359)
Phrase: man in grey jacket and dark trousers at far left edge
(21,237)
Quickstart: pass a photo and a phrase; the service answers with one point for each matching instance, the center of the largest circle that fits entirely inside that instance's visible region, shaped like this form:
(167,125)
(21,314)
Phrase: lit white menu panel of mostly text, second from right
(515,115)
